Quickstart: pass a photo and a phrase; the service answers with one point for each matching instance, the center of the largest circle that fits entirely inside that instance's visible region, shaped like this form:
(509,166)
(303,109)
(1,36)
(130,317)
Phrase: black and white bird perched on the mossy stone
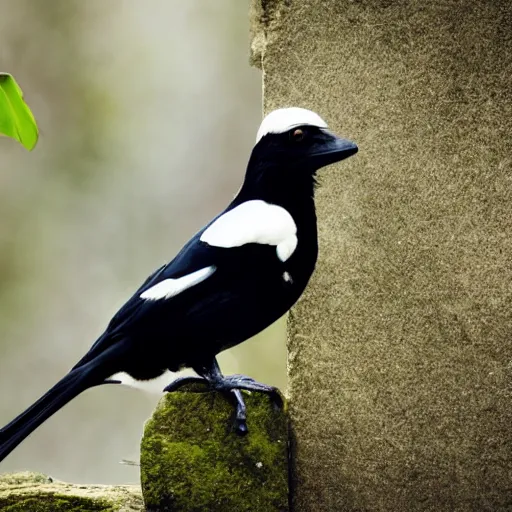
(236,276)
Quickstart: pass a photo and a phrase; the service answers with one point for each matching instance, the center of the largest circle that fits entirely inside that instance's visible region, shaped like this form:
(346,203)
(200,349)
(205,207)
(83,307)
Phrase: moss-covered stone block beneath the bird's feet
(193,461)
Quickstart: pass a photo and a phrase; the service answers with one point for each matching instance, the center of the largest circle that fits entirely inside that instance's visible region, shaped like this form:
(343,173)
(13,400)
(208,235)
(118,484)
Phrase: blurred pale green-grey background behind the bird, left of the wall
(148,112)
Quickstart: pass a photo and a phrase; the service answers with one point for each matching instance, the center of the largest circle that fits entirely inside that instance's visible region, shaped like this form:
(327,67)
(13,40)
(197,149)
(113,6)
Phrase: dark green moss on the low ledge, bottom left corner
(47,502)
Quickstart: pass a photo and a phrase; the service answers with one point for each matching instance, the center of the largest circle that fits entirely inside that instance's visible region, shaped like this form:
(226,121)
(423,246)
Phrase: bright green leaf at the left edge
(16,119)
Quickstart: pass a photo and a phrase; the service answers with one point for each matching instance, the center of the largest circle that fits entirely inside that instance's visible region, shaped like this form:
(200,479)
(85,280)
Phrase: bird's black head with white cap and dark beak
(291,145)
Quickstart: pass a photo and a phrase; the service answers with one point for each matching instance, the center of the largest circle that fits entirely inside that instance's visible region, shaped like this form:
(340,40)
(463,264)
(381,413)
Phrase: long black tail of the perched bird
(75,382)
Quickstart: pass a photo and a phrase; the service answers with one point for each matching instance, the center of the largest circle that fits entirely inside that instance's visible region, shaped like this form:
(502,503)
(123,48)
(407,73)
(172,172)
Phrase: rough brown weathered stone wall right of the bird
(400,352)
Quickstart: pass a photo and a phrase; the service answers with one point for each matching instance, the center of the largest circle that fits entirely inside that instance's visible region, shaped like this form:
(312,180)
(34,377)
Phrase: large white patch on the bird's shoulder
(254,222)
